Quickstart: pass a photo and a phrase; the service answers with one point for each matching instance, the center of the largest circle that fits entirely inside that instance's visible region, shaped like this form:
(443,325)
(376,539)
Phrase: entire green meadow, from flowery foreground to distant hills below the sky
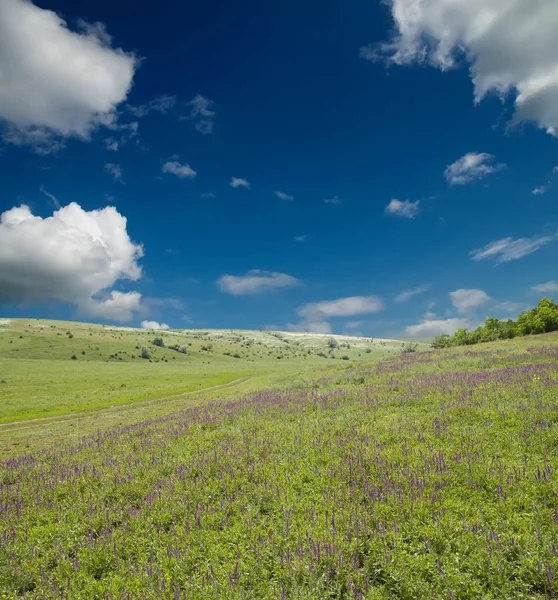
(280,474)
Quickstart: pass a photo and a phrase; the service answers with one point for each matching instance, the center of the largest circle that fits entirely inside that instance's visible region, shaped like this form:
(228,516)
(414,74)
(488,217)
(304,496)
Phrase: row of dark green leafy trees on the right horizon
(542,319)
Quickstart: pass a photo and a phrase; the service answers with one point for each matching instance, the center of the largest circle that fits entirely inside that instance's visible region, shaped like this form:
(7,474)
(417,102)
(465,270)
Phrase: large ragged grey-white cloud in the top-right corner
(511,48)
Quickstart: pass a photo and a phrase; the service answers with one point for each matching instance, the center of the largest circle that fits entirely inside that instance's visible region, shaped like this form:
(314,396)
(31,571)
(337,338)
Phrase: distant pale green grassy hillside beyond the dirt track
(54,368)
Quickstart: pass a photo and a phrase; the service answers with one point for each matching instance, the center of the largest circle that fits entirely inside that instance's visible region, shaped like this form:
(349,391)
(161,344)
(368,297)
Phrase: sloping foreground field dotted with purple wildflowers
(426,475)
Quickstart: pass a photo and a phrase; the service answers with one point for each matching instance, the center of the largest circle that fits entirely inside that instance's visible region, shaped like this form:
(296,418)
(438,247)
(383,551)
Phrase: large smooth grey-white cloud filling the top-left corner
(57,83)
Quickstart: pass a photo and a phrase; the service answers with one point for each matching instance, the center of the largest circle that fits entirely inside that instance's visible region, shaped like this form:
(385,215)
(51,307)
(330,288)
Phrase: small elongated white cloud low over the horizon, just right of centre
(315,315)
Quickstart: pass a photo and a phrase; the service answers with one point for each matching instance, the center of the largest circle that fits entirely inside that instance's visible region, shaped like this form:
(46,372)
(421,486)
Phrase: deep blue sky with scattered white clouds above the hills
(296,166)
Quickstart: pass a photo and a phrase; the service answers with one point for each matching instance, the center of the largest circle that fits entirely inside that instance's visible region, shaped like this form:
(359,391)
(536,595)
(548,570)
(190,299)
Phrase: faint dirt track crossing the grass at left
(41,421)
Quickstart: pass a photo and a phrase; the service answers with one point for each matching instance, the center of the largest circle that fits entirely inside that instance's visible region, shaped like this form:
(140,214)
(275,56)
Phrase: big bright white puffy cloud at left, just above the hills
(73,256)
